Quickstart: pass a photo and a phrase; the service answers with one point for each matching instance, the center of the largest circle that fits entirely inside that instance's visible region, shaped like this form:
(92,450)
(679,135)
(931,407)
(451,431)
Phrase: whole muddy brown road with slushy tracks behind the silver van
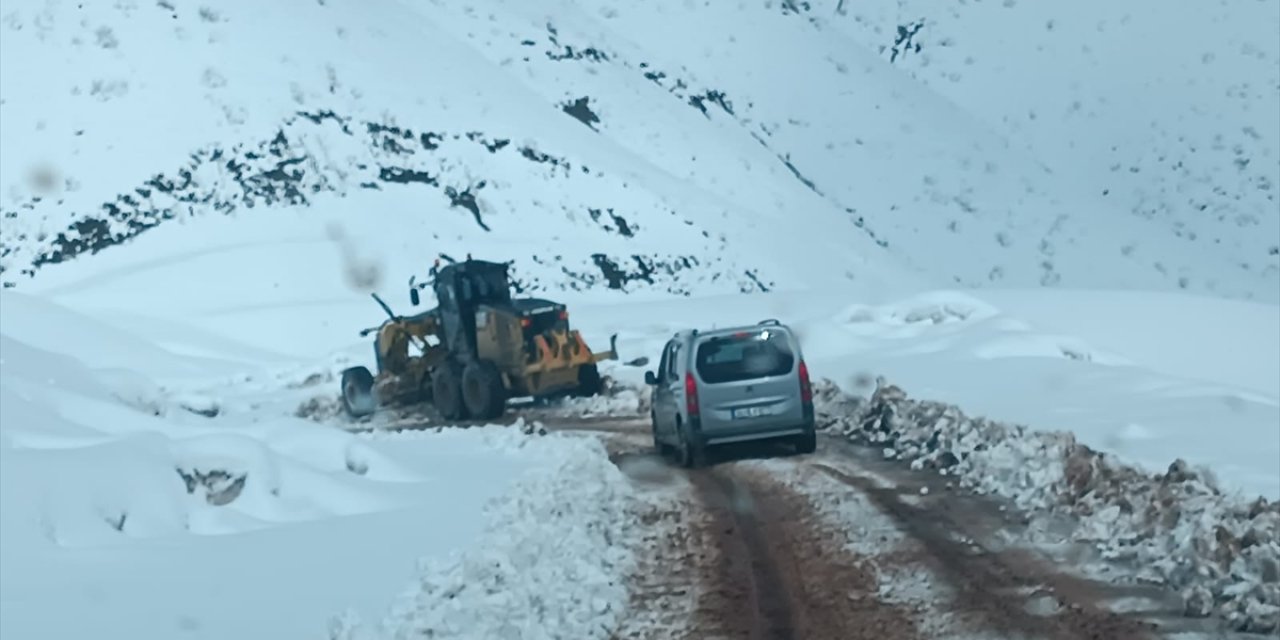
(762,545)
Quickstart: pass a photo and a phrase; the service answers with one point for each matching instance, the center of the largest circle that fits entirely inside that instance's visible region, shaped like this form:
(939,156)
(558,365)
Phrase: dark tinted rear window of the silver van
(744,356)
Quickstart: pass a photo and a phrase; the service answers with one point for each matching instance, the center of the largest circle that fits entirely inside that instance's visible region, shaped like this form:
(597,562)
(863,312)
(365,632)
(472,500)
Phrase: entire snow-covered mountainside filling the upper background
(698,148)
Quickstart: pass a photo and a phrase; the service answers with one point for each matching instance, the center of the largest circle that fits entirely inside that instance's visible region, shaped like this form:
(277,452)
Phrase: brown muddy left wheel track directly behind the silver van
(781,577)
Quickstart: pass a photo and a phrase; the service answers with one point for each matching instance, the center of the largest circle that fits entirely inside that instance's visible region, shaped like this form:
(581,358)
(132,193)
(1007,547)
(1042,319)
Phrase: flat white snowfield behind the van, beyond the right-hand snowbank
(1208,394)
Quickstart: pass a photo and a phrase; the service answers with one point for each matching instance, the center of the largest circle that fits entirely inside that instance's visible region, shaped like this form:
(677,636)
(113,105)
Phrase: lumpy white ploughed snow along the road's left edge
(550,563)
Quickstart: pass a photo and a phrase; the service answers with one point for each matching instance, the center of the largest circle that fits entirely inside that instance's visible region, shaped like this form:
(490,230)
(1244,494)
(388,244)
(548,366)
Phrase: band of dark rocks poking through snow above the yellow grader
(285,171)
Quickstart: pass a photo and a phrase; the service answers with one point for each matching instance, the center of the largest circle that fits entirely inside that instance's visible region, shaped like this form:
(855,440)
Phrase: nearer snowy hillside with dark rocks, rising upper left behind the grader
(249,107)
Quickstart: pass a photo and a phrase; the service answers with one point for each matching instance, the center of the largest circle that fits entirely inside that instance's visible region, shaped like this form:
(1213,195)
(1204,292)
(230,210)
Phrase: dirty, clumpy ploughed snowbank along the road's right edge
(1178,528)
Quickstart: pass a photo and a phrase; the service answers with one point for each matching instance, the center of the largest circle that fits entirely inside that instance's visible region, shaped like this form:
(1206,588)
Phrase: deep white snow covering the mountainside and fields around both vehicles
(198,202)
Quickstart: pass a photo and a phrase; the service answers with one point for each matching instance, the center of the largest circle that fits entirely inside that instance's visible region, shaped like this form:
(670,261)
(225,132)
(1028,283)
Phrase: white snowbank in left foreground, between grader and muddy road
(153,522)
